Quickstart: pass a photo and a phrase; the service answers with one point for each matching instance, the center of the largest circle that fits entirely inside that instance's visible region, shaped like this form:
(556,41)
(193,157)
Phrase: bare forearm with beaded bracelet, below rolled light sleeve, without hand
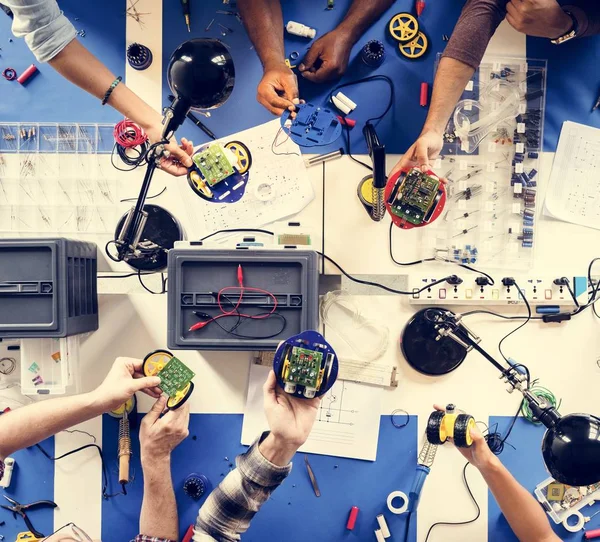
(83,69)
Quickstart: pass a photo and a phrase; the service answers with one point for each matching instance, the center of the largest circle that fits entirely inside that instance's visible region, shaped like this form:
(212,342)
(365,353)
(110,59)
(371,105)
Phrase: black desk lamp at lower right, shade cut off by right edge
(571,444)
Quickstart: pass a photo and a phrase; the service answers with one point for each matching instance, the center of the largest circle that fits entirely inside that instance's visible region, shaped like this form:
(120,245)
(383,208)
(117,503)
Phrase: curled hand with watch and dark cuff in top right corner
(548,19)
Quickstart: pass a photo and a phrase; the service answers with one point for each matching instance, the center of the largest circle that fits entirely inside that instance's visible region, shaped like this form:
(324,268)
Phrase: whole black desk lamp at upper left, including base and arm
(201,76)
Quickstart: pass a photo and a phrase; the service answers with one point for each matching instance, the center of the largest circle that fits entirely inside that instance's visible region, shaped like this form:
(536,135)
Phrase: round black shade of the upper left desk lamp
(201,73)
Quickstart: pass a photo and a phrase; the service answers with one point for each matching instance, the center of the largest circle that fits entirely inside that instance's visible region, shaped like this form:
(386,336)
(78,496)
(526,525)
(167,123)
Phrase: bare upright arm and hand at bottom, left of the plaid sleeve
(159,436)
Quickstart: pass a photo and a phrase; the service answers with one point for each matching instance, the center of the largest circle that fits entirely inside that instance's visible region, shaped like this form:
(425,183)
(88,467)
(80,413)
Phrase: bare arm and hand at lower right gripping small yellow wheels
(523,513)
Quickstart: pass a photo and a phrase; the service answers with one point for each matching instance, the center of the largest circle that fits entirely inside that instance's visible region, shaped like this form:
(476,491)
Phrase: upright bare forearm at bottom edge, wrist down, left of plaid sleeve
(158,517)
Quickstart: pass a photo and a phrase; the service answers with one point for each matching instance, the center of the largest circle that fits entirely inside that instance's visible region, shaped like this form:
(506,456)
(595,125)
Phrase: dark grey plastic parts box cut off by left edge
(48,288)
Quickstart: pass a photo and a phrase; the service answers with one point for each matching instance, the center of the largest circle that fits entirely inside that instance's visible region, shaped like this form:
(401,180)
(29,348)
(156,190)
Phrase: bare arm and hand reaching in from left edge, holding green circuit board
(33,423)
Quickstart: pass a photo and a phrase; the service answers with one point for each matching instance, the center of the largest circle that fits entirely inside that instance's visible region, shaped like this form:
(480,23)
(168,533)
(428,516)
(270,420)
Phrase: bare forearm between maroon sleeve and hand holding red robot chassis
(450,81)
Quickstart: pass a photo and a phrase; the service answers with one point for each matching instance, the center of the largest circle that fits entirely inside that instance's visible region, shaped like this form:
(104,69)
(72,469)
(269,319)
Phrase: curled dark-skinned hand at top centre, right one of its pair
(327,58)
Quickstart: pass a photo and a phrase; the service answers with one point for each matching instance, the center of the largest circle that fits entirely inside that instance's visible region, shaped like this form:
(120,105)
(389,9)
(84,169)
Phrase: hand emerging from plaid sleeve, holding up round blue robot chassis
(290,420)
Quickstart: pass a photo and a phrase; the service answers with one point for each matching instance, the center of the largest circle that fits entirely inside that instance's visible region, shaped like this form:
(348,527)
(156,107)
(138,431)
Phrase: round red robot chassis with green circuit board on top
(414,196)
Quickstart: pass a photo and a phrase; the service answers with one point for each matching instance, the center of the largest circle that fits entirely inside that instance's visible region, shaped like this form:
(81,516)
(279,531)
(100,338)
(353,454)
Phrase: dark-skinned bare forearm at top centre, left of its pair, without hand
(263,20)
